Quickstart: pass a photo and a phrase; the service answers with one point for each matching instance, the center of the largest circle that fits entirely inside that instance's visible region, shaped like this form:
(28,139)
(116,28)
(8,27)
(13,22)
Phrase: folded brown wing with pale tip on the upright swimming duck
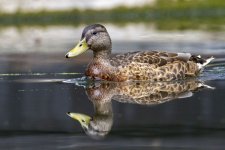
(149,57)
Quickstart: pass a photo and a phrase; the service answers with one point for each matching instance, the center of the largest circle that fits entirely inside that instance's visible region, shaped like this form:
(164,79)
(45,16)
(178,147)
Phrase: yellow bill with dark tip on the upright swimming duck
(79,49)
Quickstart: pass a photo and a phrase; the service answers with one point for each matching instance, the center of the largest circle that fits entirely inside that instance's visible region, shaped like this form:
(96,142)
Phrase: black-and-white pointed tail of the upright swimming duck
(200,61)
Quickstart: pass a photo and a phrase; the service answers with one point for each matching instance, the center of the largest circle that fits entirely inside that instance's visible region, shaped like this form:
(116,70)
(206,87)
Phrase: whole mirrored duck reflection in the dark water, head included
(144,93)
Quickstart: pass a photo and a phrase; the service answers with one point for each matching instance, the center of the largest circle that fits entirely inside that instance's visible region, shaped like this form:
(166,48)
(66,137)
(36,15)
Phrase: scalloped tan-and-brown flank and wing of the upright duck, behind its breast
(154,66)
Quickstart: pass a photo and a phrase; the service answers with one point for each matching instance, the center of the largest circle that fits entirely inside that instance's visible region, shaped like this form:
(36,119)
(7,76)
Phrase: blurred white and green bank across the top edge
(165,14)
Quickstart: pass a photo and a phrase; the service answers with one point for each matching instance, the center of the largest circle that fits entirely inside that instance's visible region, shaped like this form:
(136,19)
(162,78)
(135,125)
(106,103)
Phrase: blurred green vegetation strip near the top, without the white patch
(166,15)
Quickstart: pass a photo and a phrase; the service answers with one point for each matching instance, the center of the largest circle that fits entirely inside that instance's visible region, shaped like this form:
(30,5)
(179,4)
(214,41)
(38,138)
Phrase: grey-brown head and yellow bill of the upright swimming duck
(94,37)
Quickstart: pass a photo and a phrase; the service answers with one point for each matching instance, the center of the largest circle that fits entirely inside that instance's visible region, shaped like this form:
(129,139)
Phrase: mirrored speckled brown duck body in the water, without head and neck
(146,93)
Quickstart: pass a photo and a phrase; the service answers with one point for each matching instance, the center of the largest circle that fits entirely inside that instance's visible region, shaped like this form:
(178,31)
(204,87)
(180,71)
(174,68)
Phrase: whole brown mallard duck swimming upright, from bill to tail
(140,65)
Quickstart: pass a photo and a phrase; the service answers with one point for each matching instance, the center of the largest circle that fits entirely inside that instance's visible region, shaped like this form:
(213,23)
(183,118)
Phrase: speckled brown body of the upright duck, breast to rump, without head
(152,66)
